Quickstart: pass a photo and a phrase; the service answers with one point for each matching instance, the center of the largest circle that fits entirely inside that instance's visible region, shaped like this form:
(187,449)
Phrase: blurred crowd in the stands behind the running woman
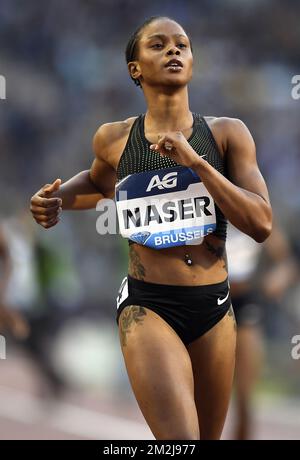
(66,74)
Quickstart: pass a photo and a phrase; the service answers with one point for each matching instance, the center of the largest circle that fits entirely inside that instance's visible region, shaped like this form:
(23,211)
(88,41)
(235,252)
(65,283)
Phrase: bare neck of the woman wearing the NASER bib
(168,111)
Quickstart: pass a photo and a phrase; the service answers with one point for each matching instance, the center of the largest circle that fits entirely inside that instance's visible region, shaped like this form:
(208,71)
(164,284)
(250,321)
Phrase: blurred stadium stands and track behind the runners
(65,73)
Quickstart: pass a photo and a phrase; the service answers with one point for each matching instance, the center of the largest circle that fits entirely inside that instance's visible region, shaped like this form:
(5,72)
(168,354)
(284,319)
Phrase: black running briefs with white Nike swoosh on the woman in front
(189,310)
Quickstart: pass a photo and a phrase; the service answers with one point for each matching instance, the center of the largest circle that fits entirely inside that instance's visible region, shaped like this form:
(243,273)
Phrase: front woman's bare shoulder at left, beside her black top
(111,136)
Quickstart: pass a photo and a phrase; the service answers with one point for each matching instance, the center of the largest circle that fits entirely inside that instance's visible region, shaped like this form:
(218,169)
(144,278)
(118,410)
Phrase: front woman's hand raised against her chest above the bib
(175,146)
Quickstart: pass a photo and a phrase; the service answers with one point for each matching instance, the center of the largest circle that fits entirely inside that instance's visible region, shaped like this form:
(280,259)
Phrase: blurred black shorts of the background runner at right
(247,309)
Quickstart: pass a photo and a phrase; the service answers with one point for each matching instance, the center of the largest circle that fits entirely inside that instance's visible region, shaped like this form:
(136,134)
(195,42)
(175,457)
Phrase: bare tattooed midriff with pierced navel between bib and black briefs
(168,266)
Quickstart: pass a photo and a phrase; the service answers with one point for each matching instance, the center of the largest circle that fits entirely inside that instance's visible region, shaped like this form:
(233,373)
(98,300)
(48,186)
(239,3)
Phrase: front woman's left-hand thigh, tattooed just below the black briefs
(160,373)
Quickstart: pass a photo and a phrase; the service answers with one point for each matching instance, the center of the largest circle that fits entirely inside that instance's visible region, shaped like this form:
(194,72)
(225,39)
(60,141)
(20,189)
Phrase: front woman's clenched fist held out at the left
(45,208)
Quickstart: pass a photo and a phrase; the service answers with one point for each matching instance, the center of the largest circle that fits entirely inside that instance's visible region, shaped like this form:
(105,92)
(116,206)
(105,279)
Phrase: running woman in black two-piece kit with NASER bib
(183,175)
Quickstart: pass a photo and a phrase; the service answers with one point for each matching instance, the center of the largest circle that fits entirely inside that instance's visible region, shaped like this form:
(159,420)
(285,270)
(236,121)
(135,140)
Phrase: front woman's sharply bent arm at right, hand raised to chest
(243,199)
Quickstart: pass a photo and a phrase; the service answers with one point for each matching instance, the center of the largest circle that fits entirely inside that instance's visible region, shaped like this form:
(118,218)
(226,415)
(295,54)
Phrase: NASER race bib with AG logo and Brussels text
(165,208)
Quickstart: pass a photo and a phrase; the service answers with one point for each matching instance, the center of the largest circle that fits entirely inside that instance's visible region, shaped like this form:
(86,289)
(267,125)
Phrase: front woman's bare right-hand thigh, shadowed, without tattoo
(213,360)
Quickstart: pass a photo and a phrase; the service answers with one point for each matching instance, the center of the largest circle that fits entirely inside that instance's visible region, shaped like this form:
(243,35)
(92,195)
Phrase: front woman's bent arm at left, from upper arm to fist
(82,191)
